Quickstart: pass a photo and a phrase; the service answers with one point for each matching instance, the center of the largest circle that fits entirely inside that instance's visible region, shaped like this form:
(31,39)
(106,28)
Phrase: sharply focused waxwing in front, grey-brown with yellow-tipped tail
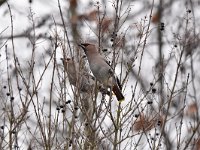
(102,70)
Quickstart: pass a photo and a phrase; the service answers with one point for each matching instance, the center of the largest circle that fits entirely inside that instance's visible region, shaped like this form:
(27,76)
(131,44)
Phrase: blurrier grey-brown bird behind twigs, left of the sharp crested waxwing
(78,77)
